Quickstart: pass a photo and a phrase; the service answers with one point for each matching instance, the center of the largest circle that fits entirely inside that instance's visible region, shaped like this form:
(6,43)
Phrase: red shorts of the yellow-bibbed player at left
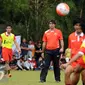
(7,54)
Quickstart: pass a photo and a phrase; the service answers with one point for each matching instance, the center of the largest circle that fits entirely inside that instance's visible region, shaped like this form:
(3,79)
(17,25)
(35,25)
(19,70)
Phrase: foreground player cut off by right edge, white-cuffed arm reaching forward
(80,63)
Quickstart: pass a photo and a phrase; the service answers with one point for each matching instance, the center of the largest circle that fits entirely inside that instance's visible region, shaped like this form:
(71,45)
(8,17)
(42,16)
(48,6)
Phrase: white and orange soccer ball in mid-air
(62,9)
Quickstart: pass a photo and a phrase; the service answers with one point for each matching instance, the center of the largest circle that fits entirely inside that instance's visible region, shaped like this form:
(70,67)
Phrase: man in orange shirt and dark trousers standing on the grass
(52,49)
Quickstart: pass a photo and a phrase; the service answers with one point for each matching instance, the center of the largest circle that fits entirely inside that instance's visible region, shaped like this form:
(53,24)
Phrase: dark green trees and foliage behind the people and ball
(30,17)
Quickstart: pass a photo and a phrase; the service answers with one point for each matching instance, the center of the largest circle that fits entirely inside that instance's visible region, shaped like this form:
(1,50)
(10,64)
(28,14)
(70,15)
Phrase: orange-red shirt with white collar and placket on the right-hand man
(74,42)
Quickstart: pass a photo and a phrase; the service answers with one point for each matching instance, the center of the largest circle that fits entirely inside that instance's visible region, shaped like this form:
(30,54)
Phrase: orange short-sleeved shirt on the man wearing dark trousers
(52,38)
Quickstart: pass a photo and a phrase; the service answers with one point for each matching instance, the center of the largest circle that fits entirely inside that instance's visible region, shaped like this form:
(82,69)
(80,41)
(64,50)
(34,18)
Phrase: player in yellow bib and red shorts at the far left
(7,39)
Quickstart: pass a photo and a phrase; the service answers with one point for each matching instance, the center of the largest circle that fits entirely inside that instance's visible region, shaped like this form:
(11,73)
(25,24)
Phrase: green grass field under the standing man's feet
(32,78)
